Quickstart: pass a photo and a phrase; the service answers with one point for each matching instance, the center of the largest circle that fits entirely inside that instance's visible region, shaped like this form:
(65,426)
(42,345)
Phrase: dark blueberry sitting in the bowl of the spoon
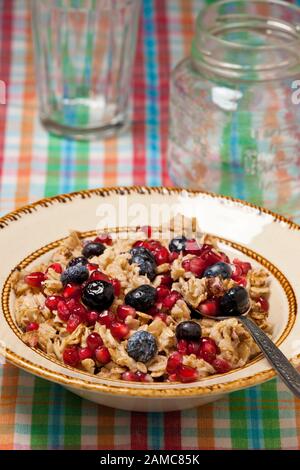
(235,302)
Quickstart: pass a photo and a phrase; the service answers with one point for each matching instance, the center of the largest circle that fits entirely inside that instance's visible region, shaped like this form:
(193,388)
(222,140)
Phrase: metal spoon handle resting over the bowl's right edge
(287,372)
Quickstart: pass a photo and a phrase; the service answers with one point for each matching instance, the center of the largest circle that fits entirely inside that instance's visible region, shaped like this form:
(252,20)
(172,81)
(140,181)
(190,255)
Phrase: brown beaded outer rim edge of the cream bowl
(137,390)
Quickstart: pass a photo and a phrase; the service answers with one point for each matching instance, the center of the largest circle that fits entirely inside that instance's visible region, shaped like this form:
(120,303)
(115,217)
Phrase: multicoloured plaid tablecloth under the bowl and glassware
(35,414)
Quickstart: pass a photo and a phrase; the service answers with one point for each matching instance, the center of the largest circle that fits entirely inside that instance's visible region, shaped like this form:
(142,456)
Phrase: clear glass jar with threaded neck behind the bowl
(235,105)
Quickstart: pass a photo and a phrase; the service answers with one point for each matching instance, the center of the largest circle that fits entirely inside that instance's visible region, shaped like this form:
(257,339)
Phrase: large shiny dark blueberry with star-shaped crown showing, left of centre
(98,295)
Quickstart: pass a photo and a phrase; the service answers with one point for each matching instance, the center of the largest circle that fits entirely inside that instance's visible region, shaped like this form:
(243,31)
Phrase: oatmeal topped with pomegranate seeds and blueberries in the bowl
(132,309)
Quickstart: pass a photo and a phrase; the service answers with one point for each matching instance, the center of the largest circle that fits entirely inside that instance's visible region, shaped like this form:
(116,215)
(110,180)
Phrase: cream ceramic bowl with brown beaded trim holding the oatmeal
(264,238)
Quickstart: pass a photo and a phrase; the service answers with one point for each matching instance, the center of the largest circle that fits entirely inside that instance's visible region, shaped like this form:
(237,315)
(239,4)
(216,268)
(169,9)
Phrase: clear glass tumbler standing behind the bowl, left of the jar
(84,51)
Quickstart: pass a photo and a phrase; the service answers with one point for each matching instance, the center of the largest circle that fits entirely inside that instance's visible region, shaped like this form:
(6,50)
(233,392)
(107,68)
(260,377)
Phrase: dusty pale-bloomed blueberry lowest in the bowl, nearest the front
(142,346)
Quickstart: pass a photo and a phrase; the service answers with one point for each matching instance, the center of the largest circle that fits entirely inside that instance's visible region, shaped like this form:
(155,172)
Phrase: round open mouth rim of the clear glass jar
(201,26)
